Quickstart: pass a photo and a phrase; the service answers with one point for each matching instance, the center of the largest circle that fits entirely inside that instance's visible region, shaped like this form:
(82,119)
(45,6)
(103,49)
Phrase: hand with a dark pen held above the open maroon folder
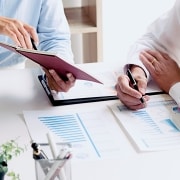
(18,31)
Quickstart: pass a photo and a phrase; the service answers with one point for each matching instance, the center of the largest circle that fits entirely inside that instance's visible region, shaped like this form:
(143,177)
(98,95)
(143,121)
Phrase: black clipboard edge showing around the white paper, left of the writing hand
(71,101)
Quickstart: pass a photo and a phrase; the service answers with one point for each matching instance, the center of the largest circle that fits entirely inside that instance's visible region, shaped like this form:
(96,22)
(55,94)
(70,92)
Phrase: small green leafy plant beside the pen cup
(8,150)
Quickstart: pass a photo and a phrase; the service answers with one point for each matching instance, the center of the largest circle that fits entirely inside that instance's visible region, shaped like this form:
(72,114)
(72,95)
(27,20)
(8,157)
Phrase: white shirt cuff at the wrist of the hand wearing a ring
(174,93)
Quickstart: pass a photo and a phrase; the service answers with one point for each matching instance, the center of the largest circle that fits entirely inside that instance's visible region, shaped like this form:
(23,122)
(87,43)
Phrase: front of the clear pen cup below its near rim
(53,169)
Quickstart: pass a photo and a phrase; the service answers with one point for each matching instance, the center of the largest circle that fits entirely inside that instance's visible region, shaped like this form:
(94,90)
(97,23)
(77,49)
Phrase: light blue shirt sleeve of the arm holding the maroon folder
(53,30)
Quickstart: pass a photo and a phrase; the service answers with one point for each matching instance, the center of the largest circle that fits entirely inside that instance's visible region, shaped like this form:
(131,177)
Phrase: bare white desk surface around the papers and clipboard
(21,91)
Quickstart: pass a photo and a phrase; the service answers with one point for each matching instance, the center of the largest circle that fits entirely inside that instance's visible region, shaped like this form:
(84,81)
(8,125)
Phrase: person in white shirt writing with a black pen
(155,55)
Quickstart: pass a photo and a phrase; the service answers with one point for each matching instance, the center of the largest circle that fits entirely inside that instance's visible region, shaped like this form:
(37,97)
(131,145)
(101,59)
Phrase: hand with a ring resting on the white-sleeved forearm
(163,69)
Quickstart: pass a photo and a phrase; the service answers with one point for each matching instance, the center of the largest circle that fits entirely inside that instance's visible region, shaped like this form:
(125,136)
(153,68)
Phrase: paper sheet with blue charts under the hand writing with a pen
(152,128)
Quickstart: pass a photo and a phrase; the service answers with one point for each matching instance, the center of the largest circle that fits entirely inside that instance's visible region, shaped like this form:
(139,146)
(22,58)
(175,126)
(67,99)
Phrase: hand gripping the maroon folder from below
(56,83)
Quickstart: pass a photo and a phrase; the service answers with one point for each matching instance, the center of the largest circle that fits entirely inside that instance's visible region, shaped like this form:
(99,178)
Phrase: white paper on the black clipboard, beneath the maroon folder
(84,89)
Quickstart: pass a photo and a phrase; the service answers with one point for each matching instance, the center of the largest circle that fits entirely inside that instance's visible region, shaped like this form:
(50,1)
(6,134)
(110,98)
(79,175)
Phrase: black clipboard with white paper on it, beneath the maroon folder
(85,91)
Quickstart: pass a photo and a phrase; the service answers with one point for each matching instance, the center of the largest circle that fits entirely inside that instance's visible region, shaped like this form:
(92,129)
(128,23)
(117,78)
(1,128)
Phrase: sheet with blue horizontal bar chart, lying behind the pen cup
(92,132)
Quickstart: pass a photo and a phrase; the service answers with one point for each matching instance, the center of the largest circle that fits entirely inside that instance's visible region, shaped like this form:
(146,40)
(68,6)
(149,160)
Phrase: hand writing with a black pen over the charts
(129,96)
